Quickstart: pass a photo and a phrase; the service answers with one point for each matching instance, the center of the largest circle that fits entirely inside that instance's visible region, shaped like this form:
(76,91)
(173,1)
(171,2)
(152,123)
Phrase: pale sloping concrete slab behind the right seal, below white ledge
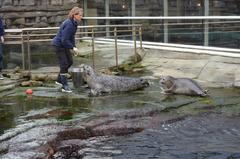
(209,70)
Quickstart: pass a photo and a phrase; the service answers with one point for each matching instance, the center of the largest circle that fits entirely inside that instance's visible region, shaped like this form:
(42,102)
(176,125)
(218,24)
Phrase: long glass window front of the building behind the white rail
(225,33)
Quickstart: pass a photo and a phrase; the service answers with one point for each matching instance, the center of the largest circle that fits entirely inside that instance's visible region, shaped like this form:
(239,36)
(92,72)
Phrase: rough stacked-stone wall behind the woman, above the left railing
(35,13)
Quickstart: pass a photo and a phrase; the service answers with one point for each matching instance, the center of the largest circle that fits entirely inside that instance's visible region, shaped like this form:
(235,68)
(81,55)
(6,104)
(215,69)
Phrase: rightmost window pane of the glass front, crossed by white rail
(224,32)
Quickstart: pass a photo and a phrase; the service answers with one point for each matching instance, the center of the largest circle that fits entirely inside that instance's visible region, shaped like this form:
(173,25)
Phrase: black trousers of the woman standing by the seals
(64,58)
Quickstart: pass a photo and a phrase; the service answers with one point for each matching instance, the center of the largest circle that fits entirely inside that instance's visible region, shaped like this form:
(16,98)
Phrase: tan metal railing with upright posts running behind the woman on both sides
(26,36)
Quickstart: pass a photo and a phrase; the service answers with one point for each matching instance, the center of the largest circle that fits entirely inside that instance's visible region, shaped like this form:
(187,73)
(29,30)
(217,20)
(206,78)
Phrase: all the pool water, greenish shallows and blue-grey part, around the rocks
(210,129)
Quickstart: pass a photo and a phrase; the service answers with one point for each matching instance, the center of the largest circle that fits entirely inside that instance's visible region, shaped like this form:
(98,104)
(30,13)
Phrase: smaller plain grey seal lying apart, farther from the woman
(184,86)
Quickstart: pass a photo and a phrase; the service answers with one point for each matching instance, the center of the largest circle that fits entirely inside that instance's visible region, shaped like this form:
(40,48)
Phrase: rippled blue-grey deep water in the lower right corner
(205,136)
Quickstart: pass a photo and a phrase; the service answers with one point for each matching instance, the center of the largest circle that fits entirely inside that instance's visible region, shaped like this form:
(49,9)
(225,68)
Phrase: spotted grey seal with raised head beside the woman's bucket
(101,83)
